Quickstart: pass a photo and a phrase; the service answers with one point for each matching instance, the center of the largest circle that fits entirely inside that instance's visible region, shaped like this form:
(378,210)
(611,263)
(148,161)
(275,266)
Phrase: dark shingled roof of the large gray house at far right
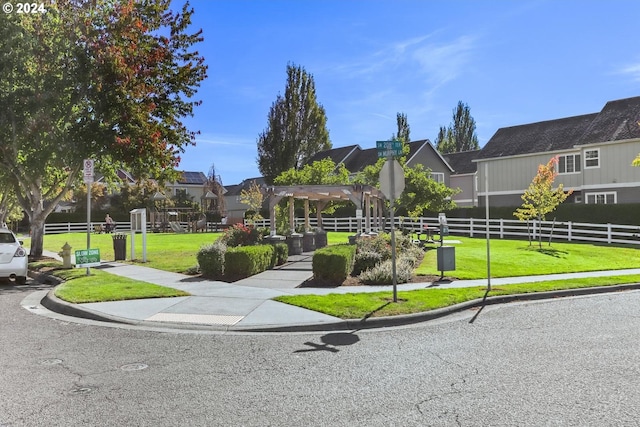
(616,121)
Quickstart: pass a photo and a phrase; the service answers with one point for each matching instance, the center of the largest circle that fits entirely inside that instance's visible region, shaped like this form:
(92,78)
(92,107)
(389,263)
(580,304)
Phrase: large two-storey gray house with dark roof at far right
(594,154)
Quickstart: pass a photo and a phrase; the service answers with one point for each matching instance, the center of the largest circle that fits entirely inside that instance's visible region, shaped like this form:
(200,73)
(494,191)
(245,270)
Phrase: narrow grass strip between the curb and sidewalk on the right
(378,304)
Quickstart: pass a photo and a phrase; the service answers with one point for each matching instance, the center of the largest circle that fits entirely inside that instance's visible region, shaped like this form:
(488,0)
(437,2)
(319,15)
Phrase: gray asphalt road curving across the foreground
(566,362)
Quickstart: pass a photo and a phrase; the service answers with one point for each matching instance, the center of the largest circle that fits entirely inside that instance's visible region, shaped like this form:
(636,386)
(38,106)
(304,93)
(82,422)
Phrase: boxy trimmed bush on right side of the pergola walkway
(332,264)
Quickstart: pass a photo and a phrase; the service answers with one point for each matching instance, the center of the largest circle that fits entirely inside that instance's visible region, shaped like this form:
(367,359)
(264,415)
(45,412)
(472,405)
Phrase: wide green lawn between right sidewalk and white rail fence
(511,258)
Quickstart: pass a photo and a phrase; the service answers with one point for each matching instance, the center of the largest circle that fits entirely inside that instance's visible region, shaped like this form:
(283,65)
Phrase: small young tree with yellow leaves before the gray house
(541,198)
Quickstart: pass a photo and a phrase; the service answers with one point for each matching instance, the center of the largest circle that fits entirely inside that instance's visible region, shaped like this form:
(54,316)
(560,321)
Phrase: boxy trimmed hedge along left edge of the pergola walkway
(245,261)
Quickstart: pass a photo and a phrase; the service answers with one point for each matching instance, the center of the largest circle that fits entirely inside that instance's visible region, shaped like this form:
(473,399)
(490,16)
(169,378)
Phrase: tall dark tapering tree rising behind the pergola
(296,129)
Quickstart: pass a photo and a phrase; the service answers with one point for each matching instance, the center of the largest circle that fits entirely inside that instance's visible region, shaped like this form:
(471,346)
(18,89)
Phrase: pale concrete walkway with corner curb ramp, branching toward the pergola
(246,305)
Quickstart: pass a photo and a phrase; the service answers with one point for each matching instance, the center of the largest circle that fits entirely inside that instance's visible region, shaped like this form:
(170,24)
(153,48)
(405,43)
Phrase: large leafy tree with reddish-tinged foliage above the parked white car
(101,79)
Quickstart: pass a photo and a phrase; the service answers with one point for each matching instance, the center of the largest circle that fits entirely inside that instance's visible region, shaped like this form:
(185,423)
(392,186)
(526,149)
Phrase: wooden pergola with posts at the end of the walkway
(366,198)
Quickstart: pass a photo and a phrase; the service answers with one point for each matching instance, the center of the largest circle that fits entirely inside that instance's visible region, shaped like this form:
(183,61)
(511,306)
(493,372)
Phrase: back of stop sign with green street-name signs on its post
(391,185)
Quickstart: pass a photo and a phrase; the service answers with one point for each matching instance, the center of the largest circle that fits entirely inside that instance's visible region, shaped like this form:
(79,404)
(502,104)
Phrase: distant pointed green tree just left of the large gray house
(461,133)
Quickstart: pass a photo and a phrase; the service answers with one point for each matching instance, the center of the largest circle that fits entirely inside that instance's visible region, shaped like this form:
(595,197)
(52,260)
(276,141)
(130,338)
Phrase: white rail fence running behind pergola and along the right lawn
(498,228)
